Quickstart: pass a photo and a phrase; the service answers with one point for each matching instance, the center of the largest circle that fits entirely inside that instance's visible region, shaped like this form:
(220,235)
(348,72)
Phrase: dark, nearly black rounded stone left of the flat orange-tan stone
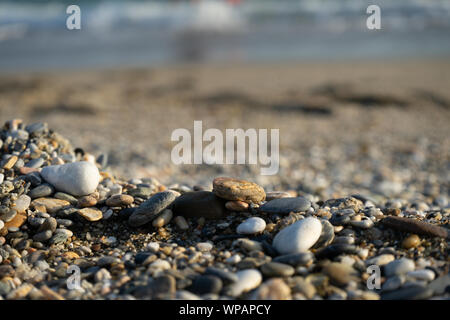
(199,204)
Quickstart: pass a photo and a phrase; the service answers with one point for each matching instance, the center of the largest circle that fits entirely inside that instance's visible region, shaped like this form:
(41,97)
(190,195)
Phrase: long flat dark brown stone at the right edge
(415,226)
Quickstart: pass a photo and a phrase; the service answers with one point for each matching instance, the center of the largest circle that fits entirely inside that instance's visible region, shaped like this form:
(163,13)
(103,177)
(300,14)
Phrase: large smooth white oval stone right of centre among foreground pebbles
(298,237)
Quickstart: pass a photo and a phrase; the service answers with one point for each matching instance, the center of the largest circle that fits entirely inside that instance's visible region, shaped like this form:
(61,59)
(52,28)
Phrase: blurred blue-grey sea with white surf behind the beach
(33,34)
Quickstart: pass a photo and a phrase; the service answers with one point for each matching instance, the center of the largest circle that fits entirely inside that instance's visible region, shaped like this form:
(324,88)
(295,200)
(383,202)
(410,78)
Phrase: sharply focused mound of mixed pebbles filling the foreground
(139,239)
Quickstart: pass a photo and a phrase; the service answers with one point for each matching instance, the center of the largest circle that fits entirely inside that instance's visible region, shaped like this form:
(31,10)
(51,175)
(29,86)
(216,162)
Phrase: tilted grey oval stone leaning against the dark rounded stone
(150,209)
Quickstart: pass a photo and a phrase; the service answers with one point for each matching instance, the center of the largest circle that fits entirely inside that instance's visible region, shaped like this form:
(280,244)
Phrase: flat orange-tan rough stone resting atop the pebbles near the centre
(235,189)
